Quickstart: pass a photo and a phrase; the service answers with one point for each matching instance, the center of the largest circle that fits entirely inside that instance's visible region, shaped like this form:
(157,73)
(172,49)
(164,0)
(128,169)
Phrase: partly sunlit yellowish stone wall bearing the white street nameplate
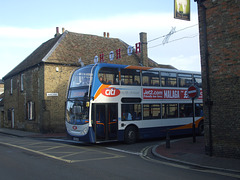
(56,79)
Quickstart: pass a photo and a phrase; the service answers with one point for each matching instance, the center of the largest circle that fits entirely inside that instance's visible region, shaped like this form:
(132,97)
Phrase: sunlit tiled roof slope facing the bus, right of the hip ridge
(75,45)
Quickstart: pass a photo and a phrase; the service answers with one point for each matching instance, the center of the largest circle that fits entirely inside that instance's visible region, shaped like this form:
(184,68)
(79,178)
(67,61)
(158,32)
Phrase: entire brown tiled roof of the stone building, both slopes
(69,47)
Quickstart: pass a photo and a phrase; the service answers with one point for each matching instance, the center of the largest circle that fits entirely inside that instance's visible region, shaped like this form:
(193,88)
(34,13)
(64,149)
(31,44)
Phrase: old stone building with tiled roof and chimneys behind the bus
(35,90)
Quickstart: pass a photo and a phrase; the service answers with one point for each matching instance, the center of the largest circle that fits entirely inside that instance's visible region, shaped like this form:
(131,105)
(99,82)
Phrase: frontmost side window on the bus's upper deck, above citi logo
(108,76)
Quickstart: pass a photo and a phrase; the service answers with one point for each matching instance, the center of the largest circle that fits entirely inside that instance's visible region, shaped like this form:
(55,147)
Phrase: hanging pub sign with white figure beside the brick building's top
(182,9)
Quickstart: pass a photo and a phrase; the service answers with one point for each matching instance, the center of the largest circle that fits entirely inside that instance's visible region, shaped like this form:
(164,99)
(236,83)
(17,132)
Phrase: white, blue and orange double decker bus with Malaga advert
(112,102)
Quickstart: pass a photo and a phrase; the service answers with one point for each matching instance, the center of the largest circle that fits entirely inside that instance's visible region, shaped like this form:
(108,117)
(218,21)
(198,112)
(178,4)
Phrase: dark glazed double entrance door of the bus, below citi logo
(105,121)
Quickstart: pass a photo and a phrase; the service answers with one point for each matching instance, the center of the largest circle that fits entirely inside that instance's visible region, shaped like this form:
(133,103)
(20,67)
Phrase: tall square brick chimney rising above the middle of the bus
(144,53)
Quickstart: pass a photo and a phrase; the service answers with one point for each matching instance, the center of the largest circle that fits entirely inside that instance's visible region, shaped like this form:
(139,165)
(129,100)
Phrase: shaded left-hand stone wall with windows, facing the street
(20,96)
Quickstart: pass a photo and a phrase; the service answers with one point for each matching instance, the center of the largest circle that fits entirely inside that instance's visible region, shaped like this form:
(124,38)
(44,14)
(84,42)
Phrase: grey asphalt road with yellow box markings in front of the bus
(26,158)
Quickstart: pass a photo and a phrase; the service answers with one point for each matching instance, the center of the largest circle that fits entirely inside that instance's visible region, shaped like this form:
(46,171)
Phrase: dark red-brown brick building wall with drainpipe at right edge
(219,26)
